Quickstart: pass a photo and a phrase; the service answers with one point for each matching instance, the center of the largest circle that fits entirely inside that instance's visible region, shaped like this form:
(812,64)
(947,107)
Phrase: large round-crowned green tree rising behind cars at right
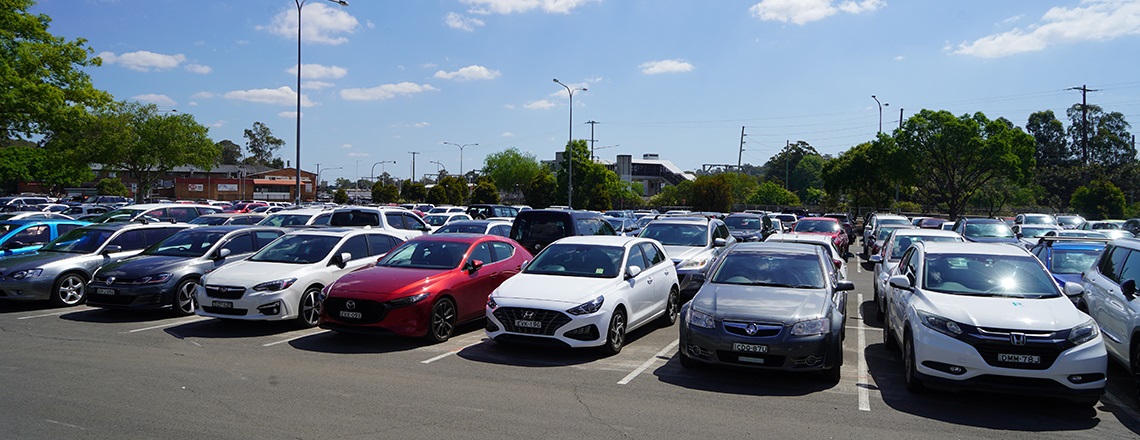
(949,159)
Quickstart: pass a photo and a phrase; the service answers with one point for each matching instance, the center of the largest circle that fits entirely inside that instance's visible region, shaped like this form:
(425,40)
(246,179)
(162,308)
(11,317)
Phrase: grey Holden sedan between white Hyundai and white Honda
(775,306)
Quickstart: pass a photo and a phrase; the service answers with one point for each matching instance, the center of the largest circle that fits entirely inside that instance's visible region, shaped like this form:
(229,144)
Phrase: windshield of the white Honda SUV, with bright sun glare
(1006,276)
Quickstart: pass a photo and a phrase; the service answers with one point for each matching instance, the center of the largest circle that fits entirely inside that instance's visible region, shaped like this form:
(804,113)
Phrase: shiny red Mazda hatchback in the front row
(424,289)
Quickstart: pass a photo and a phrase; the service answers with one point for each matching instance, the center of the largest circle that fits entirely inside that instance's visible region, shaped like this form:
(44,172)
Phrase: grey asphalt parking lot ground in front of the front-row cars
(89,373)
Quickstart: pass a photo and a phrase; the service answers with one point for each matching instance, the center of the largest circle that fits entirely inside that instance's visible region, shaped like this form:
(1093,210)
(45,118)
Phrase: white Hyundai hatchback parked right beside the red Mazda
(587,291)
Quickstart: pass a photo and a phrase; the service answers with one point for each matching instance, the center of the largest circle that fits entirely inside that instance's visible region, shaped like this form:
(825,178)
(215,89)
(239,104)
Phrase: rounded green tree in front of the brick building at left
(145,145)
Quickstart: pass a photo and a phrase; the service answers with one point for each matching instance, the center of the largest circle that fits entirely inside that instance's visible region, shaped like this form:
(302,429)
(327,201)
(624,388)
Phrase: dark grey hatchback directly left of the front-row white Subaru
(166,275)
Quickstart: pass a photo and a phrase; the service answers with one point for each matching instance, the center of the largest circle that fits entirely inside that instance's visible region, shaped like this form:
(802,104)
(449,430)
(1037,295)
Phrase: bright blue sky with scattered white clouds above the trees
(669,77)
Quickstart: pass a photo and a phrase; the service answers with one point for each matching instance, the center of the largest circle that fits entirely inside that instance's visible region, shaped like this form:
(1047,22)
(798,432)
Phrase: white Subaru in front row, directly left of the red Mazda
(284,280)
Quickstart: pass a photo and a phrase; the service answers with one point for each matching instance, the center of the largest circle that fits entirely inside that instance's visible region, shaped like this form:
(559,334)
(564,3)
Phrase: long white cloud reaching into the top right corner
(1094,21)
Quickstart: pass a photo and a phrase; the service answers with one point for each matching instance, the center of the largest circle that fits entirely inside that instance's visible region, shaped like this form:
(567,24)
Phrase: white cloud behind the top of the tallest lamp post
(323,25)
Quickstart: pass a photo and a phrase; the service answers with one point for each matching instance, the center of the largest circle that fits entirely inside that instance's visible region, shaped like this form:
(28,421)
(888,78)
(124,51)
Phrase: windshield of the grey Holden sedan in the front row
(796,271)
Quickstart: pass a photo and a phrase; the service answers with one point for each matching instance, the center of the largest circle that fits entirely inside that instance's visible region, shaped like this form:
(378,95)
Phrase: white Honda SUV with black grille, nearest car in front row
(989,317)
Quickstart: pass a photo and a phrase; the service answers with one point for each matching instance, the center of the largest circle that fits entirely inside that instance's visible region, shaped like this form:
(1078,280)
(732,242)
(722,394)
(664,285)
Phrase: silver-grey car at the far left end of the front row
(61,270)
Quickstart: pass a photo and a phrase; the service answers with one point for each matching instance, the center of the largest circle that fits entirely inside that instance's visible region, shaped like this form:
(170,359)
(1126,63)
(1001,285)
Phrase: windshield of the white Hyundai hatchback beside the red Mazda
(579,260)
